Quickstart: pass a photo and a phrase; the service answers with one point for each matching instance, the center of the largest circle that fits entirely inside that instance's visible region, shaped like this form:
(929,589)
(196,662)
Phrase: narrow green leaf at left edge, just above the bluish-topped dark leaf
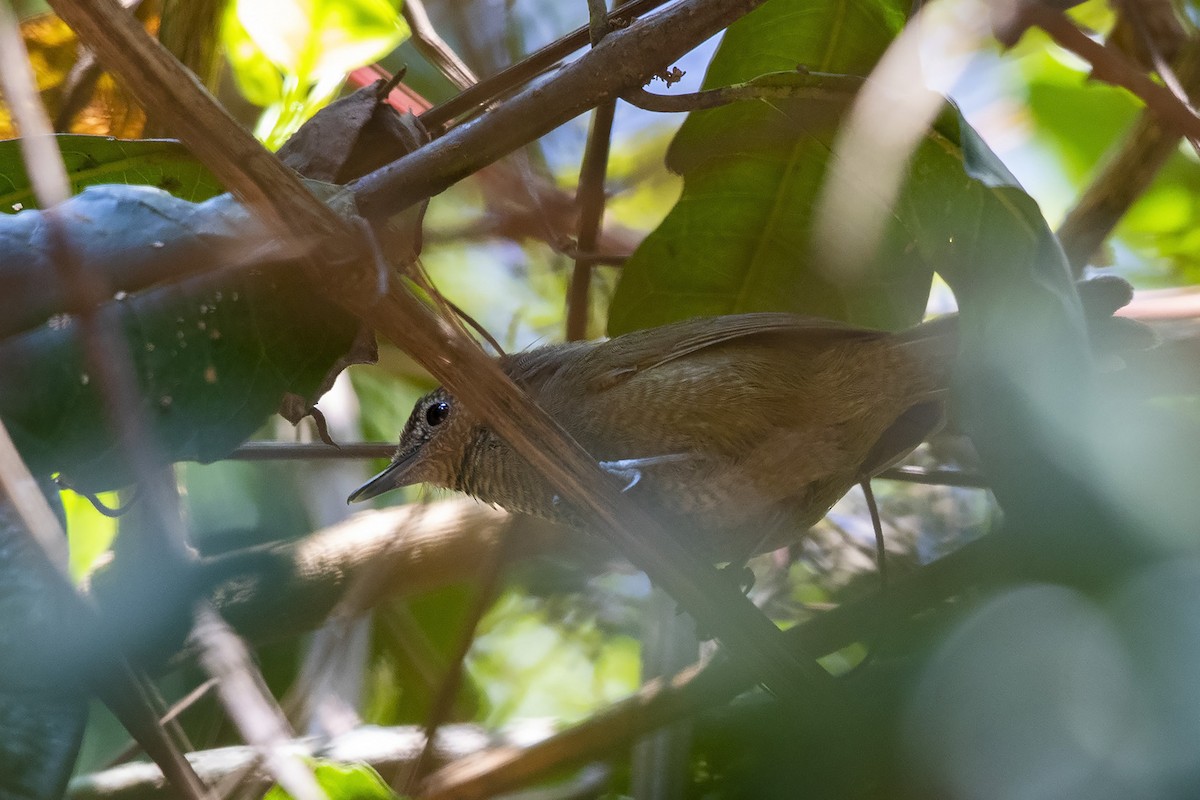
(93,160)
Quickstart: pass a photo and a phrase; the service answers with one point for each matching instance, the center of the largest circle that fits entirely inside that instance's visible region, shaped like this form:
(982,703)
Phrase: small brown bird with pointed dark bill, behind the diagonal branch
(739,431)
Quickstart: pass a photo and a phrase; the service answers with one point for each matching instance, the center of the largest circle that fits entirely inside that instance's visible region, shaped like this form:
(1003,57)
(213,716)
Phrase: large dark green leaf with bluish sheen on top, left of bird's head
(214,353)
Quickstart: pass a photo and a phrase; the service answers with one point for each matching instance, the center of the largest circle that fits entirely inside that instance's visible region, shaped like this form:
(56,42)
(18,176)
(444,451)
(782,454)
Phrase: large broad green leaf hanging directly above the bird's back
(739,238)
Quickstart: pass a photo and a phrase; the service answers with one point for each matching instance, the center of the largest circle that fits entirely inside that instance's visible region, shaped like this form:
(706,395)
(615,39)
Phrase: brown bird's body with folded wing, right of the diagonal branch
(776,414)
